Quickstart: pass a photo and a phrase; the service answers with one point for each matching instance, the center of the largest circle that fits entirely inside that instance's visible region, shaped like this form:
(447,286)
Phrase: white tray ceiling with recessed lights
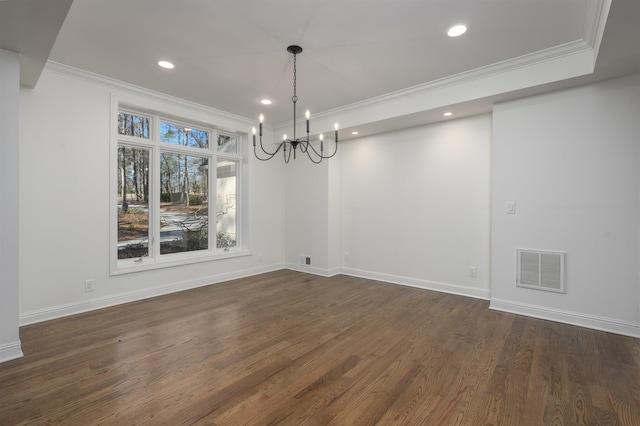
(229,54)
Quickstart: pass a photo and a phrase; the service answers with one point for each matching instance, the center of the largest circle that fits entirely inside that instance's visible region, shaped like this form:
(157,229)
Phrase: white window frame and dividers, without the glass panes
(155,146)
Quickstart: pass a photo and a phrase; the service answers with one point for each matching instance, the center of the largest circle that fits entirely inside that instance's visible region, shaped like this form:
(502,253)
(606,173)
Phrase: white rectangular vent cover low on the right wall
(542,270)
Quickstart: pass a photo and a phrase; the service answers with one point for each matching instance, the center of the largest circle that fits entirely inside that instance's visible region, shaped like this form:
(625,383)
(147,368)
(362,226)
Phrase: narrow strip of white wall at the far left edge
(10,346)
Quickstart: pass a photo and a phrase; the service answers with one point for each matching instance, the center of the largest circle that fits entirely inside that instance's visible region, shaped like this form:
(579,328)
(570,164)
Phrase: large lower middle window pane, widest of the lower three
(184,219)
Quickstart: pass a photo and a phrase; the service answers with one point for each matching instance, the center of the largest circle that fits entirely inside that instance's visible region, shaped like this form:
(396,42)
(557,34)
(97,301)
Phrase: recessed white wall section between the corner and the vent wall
(415,206)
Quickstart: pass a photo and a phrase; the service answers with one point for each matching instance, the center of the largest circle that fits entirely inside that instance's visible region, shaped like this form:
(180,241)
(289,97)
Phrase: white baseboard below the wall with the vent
(625,328)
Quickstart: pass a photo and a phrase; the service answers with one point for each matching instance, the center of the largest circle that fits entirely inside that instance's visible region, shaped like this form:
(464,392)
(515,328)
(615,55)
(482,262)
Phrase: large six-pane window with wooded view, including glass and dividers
(170,206)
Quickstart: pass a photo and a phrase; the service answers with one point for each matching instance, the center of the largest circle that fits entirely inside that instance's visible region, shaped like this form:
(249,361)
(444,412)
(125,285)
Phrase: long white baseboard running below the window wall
(117,299)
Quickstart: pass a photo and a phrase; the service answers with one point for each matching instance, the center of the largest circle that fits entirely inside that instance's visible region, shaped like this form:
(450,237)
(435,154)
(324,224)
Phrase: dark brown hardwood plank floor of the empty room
(296,349)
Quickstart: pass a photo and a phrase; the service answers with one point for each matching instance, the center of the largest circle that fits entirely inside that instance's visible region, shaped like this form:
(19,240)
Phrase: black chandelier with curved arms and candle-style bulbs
(292,145)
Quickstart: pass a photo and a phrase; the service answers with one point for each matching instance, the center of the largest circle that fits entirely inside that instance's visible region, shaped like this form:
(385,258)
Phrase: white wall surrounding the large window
(64,197)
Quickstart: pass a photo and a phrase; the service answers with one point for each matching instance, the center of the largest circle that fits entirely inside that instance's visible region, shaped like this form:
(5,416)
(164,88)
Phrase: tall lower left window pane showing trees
(133,202)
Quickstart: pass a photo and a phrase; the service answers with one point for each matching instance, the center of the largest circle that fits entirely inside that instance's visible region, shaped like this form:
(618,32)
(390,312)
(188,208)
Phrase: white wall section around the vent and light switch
(571,162)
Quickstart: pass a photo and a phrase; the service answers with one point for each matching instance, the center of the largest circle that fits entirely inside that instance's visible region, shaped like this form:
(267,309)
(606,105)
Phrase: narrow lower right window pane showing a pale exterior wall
(226,181)
